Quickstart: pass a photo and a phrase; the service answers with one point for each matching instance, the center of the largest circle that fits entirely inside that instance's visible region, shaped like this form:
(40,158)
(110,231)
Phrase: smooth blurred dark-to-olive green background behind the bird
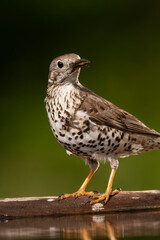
(122,40)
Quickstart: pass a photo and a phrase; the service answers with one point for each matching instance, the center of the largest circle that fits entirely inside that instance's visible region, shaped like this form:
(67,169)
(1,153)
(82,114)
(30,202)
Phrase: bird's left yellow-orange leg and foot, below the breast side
(81,191)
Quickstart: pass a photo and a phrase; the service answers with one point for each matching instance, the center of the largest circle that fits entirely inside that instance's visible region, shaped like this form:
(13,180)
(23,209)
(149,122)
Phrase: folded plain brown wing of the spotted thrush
(103,112)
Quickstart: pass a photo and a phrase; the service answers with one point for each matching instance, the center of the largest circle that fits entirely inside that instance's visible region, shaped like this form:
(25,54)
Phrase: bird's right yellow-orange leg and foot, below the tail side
(108,192)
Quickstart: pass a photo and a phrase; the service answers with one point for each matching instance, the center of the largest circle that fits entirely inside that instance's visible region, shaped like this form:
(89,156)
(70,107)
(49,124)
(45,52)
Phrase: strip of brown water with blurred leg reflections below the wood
(85,227)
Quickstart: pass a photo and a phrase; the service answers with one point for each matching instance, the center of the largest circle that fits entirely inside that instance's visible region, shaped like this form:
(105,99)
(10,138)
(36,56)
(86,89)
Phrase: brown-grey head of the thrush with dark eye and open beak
(65,69)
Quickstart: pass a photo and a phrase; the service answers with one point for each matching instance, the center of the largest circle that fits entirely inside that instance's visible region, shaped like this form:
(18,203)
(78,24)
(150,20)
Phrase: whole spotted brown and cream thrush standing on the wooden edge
(89,126)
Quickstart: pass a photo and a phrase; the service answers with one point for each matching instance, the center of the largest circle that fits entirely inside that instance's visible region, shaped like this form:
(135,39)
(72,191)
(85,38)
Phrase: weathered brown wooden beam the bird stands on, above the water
(53,206)
